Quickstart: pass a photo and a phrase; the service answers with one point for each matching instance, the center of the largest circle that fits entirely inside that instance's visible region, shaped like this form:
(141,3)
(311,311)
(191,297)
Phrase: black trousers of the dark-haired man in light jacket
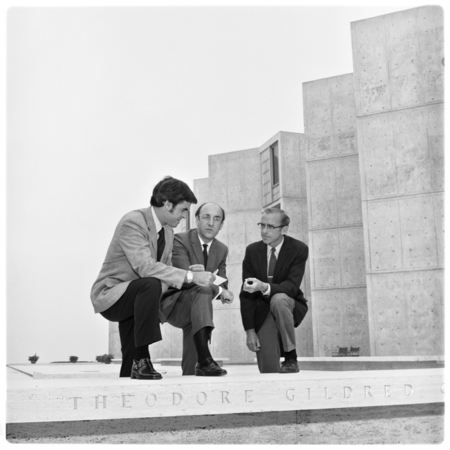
(137,312)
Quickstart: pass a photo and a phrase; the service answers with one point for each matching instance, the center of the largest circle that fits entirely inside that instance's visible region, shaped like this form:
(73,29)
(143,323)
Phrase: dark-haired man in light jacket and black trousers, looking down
(138,269)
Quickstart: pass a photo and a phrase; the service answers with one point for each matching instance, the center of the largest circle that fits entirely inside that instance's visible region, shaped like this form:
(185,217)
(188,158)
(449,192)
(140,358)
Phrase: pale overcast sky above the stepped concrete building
(103,102)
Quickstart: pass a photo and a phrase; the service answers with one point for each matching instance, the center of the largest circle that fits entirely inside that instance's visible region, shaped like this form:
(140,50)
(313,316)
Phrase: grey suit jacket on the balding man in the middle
(187,250)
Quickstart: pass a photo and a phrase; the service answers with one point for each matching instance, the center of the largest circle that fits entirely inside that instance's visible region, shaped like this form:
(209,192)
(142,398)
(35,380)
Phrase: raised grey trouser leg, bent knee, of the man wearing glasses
(282,308)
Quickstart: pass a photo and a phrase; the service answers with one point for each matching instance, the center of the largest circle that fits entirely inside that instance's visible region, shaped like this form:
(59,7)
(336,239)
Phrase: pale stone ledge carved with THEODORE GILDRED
(37,400)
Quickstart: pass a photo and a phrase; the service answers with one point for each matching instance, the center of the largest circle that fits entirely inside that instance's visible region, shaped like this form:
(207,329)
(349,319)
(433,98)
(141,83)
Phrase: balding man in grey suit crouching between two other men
(190,307)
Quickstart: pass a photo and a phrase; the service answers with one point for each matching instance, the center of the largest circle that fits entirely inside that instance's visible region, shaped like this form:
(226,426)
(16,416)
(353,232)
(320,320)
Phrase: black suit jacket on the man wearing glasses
(287,278)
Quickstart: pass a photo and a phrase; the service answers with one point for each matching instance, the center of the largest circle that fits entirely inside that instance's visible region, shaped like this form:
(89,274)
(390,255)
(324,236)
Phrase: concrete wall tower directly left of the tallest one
(338,277)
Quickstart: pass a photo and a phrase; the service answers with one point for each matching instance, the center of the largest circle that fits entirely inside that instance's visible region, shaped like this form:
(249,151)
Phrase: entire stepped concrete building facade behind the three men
(364,187)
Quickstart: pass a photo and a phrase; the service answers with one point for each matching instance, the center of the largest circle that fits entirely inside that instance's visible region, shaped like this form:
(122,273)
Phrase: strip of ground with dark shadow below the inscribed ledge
(406,424)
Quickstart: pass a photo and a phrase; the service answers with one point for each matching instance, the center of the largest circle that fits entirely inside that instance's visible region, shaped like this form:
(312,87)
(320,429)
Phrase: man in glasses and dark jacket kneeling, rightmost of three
(272,303)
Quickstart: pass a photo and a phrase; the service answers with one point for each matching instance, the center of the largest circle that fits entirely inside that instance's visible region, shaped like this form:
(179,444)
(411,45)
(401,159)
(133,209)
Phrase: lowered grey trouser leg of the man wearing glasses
(268,356)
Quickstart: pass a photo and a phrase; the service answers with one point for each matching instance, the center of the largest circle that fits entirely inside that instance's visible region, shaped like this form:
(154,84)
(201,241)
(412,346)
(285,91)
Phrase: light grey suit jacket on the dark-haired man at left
(132,255)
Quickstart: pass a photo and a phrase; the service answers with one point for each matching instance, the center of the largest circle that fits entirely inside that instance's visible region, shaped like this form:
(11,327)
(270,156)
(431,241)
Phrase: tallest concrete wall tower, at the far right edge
(398,64)
